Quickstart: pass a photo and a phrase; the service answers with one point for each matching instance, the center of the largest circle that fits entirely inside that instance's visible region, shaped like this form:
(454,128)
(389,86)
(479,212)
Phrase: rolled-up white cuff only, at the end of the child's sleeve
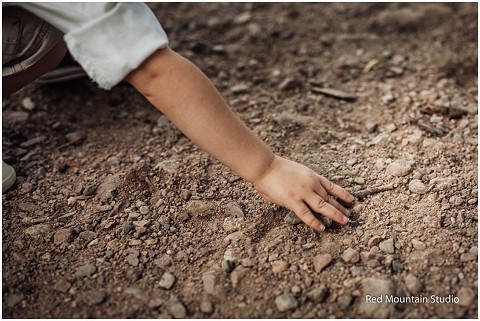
(112,45)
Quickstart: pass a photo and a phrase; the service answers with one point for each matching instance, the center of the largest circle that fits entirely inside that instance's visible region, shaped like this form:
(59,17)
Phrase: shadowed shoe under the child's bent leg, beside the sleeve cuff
(67,69)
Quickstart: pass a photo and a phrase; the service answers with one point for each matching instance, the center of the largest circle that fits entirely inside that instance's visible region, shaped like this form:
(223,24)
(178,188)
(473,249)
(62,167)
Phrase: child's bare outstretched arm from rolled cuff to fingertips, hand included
(188,98)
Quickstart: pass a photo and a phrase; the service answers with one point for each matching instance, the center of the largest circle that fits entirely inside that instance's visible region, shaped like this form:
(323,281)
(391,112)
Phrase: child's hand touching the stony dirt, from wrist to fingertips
(302,191)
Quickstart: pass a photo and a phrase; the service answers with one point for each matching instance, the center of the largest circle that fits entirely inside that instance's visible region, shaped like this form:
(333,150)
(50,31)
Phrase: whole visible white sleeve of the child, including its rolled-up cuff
(108,39)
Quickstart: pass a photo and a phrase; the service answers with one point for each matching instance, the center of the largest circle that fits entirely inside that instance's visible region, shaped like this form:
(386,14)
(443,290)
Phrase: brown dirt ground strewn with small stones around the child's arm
(115,214)
